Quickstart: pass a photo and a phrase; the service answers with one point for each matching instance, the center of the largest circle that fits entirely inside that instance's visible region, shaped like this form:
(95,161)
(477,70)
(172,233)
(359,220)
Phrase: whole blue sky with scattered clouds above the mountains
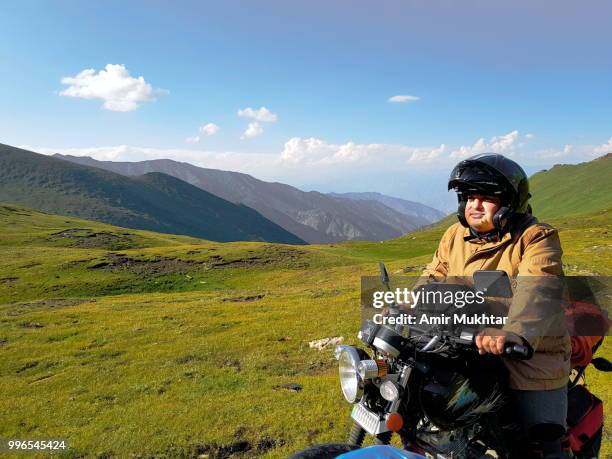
(529,79)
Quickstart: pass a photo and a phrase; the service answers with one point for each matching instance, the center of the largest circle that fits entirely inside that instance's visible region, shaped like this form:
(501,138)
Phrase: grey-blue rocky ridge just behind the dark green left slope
(312,216)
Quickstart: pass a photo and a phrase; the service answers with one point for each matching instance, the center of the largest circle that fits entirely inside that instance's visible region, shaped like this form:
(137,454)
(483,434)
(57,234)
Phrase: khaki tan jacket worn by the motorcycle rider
(532,250)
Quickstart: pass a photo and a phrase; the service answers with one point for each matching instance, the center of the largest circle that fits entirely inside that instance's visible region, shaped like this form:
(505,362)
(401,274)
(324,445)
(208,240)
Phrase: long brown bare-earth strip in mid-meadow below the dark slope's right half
(154,266)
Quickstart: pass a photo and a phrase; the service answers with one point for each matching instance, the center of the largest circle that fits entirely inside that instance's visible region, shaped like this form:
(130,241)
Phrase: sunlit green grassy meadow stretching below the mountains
(137,344)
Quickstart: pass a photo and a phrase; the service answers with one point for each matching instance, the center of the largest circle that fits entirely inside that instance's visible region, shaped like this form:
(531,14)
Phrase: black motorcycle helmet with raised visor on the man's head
(496,175)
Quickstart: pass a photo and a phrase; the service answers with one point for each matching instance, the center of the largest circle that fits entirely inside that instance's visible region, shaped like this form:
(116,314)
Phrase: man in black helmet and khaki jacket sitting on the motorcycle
(496,231)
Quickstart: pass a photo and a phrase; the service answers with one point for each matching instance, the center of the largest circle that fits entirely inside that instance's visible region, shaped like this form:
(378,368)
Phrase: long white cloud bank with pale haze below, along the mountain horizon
(417,173)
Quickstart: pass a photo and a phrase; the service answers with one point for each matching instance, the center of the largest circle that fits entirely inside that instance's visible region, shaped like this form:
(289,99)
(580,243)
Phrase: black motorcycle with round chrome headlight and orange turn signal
(443,399)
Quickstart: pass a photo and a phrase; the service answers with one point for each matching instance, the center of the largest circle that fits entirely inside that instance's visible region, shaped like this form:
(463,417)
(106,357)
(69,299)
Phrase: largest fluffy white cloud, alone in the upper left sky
(114,85)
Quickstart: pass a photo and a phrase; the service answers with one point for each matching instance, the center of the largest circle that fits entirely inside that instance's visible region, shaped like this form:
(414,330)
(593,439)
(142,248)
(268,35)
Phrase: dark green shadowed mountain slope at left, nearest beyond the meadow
(153,201)
